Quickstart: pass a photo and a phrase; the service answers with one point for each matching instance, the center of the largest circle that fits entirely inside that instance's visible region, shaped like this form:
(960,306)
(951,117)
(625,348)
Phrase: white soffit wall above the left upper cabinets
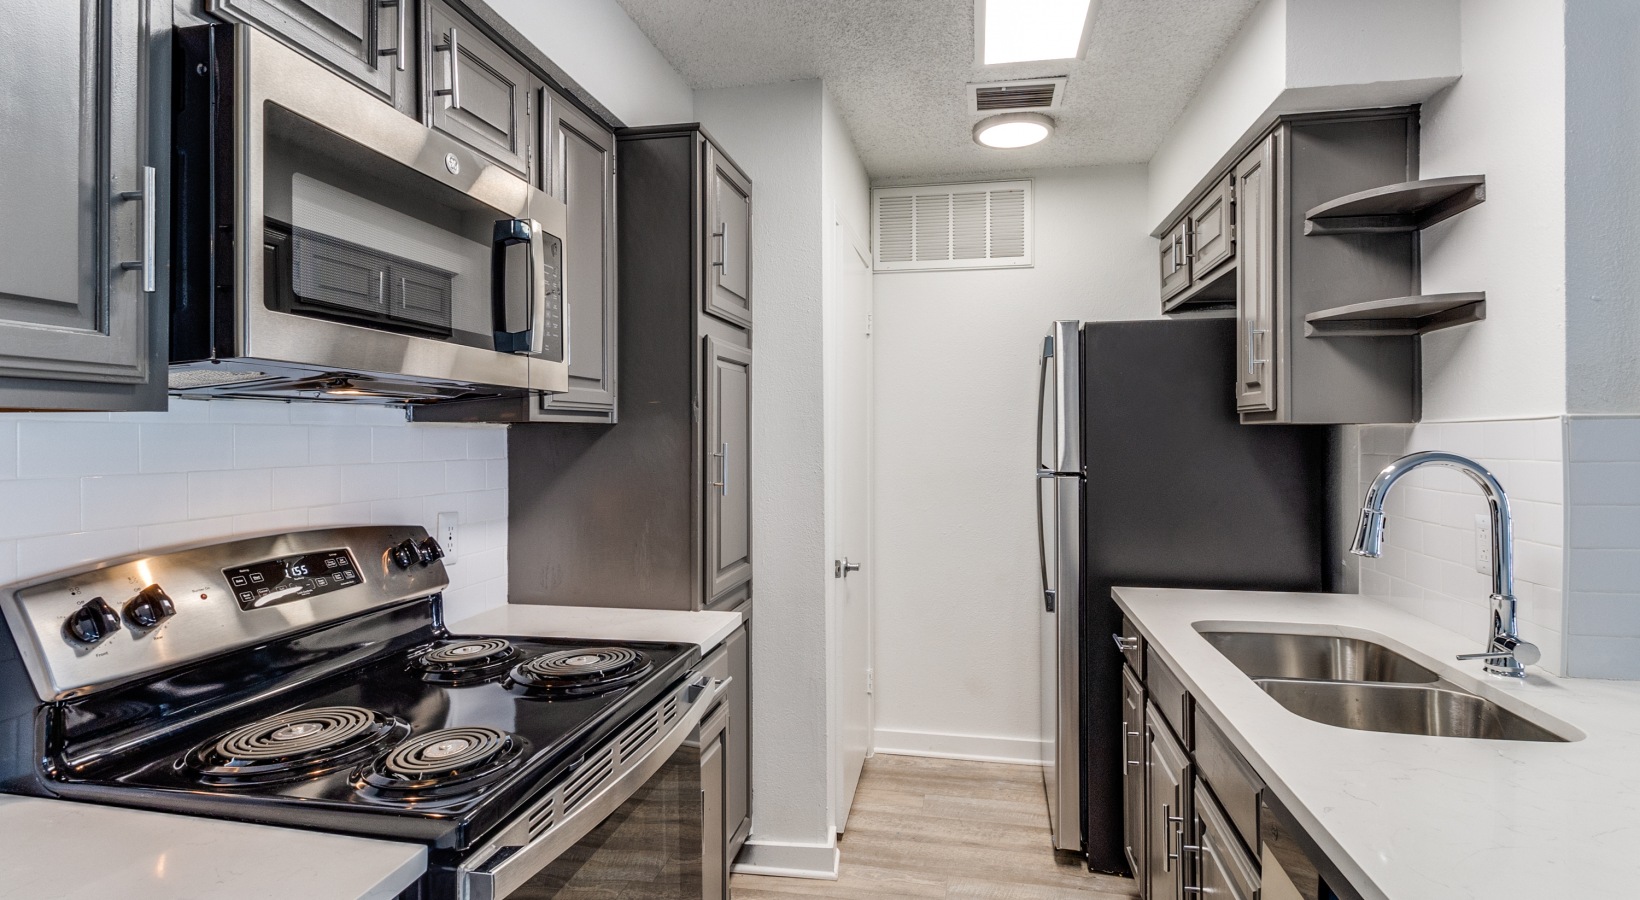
(599,47)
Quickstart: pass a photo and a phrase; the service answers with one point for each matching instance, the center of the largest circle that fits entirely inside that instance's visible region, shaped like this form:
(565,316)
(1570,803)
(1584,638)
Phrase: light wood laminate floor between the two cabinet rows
(945,829)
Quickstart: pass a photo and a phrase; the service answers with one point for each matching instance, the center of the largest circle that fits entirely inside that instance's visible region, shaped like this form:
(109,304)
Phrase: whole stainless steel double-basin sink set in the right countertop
(1357,684)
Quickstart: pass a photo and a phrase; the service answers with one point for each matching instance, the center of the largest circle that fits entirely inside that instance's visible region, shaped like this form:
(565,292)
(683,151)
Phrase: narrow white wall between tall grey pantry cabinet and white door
(775,134)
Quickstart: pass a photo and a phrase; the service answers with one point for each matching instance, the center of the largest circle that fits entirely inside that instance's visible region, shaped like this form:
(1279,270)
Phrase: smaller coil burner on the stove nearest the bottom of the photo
(450,761)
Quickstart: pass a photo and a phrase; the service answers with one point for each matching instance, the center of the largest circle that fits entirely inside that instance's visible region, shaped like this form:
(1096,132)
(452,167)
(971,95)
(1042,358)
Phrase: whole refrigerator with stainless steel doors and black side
(1147,478)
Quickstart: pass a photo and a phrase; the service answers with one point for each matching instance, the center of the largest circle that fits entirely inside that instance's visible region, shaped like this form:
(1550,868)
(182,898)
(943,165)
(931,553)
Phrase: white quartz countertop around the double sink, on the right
(1424,819)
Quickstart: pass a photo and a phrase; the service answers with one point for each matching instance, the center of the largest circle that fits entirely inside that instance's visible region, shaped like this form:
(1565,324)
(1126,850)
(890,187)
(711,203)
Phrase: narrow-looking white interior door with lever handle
(850,337)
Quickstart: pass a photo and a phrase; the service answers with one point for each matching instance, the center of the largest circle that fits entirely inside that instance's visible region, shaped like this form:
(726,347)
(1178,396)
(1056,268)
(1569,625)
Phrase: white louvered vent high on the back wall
(954,227)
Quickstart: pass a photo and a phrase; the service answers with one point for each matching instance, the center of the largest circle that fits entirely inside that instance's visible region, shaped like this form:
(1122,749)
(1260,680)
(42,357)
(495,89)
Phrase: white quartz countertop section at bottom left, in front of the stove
(60,850)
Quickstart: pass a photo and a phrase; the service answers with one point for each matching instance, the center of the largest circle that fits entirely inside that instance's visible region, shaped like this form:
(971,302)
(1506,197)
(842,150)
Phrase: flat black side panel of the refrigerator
(1178,494)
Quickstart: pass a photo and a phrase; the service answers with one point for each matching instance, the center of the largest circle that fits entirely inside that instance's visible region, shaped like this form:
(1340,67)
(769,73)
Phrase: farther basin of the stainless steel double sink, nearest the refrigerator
(1265,655)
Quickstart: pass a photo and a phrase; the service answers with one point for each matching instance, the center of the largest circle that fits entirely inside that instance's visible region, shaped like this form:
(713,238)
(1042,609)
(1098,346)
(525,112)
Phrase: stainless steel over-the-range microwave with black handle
(330,248)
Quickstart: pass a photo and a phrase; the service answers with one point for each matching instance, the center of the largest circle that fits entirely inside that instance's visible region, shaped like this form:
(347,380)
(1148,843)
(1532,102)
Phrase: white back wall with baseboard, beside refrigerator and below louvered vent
(957,365)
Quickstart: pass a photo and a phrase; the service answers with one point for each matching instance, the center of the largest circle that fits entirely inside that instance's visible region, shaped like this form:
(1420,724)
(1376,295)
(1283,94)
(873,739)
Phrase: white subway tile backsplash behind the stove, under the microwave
(84,488)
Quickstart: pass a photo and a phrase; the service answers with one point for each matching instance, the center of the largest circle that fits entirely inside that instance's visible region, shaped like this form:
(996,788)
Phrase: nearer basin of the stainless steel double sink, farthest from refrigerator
(1403,709)
